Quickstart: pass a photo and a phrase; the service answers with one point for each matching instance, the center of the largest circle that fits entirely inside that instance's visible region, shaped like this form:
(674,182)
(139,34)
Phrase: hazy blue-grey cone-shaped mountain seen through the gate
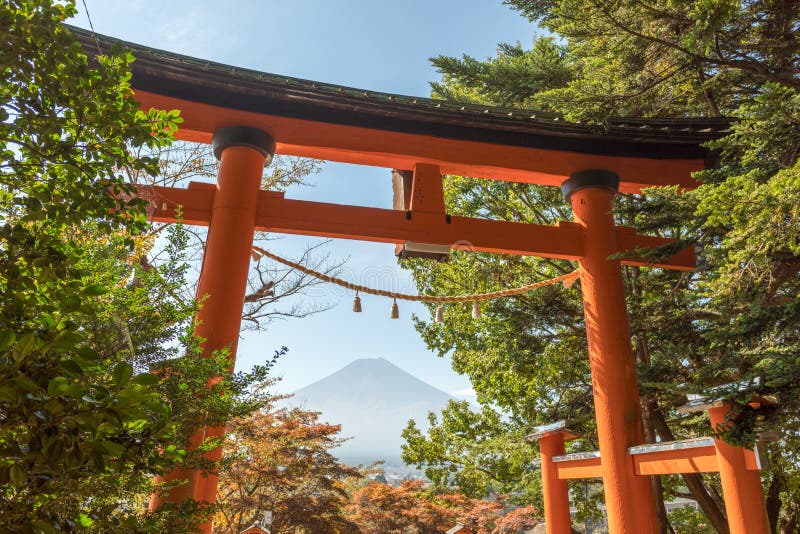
(373,400)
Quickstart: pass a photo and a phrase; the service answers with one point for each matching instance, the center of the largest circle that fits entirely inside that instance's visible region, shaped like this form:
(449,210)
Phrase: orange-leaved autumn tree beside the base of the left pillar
(281,461)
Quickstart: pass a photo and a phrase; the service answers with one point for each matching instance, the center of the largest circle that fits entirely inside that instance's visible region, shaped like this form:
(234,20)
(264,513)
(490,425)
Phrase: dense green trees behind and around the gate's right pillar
(735,318)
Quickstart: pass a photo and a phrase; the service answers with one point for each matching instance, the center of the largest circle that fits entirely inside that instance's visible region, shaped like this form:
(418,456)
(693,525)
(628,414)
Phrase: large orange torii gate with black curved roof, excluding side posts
(248,116)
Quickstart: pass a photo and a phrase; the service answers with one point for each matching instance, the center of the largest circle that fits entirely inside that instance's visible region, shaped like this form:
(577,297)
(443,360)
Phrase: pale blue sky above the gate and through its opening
(379,45)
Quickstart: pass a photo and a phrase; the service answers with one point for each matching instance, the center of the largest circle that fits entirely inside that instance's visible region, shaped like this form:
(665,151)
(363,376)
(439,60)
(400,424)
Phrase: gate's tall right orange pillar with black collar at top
(629,499)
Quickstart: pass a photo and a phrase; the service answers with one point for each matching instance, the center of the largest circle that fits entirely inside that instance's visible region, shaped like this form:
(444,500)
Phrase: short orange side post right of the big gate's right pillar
(741,488)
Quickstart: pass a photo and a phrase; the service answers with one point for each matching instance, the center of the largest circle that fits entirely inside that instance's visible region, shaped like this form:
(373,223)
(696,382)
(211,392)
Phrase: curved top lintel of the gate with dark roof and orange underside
(212,95)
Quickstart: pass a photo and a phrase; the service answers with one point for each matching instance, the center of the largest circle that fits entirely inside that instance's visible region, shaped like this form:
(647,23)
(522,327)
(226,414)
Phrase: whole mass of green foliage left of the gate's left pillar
(84,318)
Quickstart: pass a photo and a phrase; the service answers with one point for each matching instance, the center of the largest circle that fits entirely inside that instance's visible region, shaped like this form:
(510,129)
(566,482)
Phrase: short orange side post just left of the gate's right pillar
(556,493)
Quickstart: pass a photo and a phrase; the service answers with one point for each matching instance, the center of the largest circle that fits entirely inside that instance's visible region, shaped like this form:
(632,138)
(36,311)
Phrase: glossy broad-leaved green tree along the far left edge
(71,409)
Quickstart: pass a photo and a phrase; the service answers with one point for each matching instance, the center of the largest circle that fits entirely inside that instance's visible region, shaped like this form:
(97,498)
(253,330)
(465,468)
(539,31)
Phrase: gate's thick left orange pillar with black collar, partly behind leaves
(242,152)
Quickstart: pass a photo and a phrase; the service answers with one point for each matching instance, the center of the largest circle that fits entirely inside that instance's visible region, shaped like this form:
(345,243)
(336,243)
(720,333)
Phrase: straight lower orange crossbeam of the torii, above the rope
(193,205)
